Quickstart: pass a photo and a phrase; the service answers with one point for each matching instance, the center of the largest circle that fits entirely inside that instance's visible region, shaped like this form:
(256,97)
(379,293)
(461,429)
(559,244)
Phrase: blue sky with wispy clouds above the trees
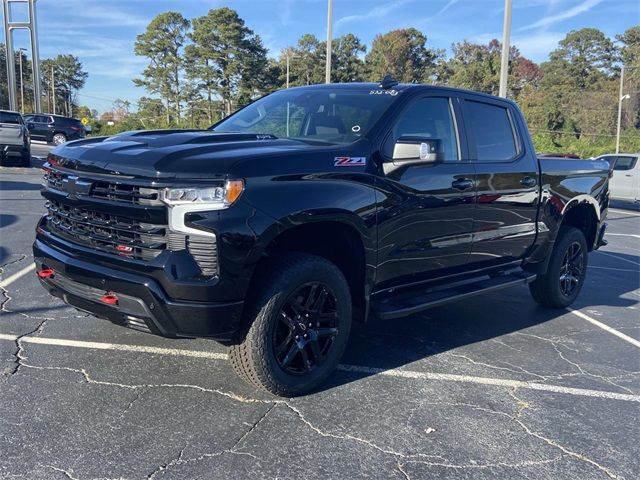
(102,34)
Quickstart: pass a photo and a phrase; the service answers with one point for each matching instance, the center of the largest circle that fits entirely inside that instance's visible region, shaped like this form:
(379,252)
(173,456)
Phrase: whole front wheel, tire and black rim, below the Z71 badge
(301,320)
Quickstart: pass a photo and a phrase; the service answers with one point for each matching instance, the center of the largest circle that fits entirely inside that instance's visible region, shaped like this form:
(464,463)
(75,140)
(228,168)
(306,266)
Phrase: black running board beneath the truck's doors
(409,302)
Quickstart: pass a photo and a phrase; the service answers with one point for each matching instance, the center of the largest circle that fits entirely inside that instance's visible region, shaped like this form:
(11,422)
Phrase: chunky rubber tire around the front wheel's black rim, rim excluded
(252,355)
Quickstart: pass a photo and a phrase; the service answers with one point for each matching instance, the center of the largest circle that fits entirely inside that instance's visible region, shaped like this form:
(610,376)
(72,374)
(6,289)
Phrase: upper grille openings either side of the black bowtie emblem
(115,192)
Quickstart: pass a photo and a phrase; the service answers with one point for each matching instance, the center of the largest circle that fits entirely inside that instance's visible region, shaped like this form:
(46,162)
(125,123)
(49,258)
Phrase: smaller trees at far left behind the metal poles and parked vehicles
(61,79)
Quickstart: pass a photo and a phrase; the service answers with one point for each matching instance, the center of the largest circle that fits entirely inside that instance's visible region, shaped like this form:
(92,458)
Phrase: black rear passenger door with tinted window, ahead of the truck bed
(506,182)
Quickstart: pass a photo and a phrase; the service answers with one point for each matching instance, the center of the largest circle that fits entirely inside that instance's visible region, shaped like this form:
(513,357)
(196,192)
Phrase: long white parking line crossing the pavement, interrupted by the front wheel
(395,372)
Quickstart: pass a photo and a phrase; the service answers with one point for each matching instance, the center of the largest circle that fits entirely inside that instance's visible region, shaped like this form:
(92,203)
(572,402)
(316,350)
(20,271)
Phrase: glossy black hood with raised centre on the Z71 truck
(166,154)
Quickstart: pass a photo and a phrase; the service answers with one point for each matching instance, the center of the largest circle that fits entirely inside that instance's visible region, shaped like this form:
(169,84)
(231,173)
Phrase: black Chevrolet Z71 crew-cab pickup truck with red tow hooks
(310,208)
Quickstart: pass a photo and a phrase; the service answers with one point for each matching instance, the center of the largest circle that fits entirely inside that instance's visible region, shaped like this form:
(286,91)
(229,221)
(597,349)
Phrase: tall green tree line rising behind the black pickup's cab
(202,69)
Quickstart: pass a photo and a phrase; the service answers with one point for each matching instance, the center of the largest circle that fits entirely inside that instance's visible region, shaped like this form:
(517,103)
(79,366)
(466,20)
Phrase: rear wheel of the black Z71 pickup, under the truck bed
(560,285)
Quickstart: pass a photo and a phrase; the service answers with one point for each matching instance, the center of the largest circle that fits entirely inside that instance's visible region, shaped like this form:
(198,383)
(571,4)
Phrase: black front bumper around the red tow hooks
(142,304)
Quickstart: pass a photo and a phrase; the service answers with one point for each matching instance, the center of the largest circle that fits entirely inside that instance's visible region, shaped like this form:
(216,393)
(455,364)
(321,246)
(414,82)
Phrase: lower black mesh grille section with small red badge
(107,232)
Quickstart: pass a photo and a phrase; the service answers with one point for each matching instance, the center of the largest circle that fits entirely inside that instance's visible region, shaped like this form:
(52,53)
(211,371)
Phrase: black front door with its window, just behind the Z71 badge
(425,220)
